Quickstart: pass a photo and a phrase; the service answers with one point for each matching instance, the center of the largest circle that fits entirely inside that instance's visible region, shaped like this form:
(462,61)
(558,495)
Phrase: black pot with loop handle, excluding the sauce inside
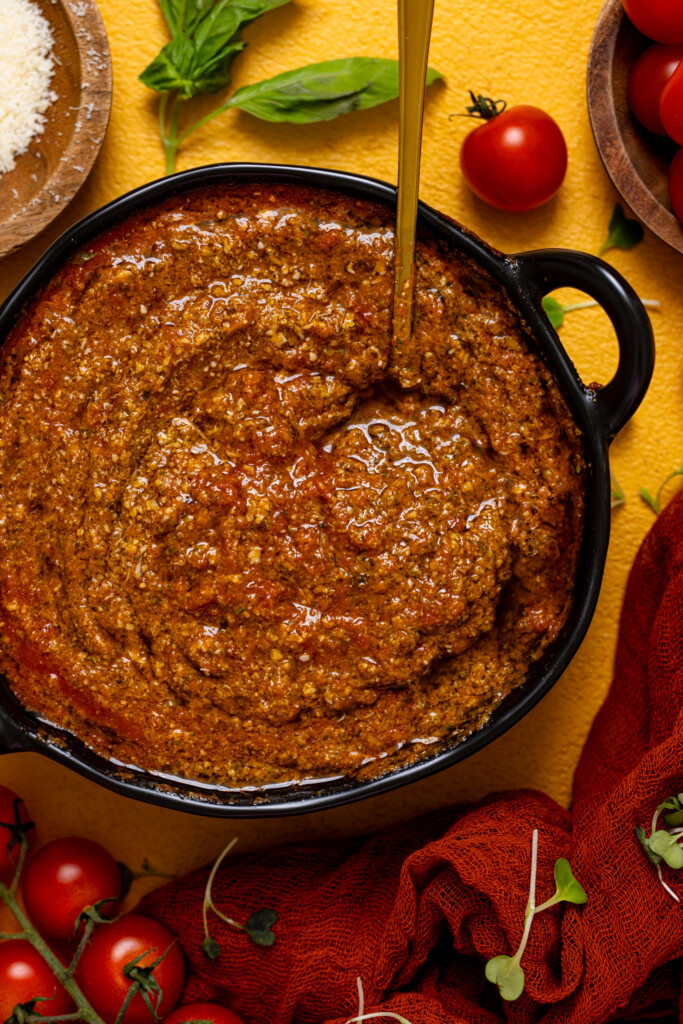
(600,413)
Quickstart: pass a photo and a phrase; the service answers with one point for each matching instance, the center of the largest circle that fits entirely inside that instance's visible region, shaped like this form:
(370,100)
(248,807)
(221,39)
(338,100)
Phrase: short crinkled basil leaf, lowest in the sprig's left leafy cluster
(179,68)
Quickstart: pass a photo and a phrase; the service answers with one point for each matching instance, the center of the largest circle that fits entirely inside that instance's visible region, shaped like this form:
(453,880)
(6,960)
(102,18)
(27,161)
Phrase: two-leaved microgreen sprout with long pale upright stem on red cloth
(506,972)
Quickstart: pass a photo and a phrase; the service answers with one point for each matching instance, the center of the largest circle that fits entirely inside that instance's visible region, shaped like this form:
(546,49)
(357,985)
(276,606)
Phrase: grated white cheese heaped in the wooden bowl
(26,72)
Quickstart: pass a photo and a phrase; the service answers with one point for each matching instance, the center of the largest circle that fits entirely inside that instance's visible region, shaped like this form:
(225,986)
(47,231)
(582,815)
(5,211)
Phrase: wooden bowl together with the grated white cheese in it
(56,94)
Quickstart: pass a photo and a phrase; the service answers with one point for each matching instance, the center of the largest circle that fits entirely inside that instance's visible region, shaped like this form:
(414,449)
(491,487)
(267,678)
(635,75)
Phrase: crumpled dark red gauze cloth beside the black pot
(417,910)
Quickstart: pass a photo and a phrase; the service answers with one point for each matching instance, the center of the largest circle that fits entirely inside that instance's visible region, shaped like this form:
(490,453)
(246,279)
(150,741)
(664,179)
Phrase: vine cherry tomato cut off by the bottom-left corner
(24,976)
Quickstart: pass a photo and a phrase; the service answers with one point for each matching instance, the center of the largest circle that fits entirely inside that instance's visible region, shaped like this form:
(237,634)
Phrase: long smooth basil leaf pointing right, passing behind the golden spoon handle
(323,92)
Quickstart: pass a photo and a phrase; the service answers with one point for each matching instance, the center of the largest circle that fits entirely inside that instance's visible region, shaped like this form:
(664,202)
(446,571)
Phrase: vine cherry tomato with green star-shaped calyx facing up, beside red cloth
(100,972)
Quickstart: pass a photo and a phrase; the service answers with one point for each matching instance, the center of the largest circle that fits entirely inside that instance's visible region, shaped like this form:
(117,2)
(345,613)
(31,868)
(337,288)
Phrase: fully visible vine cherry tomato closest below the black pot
(64,878)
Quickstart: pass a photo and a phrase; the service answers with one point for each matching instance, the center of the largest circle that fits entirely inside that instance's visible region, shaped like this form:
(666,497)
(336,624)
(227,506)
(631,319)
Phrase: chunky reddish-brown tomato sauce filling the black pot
(233,547)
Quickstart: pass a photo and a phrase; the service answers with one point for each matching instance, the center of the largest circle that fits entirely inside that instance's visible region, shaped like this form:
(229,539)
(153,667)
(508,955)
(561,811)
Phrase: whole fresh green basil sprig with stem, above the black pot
(205,41)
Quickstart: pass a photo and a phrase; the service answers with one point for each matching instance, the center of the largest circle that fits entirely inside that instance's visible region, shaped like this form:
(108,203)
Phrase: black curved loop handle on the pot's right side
(544,270)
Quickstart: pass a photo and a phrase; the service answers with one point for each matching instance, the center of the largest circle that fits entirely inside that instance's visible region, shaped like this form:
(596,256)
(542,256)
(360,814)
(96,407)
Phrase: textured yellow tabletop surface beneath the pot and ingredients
(526,53)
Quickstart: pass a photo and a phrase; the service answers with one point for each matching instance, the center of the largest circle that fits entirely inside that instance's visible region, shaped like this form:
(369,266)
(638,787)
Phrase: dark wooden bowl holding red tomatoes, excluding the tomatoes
(636,160)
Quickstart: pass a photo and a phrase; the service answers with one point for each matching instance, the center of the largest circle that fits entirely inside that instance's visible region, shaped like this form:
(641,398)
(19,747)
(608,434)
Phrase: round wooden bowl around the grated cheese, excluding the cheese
(48,177)
